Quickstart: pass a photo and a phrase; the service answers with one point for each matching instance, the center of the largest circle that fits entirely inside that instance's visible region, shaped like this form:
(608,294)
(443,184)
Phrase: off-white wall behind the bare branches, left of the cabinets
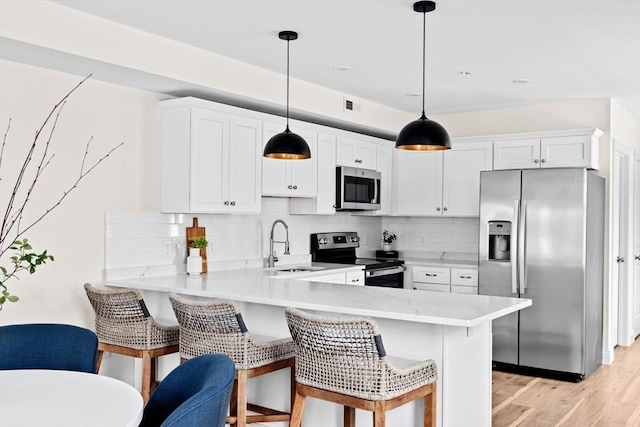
(74,233)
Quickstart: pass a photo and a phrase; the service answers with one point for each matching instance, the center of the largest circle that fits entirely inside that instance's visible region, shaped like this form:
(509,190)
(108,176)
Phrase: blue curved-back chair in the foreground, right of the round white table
(196,393)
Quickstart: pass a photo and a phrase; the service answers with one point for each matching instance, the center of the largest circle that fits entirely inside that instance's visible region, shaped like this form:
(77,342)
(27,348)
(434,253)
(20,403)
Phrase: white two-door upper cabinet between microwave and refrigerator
(442,183)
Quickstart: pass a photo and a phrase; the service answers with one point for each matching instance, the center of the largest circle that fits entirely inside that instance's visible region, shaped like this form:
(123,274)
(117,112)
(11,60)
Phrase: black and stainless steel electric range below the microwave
(340,248)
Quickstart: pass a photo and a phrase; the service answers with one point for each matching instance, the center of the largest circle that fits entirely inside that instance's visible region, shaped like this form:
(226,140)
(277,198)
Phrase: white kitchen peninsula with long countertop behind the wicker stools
(452,329)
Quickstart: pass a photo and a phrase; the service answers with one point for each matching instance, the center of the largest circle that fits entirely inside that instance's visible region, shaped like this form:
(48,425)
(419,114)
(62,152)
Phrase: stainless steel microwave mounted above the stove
(357,189)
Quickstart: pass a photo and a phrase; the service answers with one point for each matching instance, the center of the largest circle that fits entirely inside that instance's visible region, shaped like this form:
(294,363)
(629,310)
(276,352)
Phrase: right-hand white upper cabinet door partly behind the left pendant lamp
(304,172)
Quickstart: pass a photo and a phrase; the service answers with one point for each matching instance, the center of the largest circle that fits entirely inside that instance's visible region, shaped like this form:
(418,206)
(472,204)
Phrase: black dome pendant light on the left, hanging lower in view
(287,145)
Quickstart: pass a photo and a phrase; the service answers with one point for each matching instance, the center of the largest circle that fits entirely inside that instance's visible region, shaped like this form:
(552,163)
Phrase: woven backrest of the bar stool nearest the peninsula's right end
(337,353)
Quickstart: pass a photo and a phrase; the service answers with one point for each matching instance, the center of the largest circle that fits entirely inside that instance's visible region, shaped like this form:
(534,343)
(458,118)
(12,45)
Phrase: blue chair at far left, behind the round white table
(48,346)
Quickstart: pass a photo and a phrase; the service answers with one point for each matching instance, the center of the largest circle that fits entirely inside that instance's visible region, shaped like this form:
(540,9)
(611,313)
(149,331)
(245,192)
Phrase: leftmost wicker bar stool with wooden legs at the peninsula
(124,326)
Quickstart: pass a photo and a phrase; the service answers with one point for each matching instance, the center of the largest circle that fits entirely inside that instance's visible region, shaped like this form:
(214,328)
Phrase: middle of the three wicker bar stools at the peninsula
(216,326)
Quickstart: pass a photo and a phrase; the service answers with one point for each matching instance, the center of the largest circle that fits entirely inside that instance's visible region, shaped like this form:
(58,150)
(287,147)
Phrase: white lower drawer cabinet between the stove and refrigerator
(445,279)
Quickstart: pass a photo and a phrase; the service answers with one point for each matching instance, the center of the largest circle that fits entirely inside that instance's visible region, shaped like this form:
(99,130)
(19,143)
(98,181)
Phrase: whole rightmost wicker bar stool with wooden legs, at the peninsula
(342,360)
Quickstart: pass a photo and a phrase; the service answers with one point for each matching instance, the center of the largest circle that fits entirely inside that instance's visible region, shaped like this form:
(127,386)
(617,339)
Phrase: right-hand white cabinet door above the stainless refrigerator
(566,151)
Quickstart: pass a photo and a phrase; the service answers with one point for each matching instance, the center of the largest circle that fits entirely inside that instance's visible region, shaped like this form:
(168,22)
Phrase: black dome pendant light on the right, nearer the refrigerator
(423,134)
